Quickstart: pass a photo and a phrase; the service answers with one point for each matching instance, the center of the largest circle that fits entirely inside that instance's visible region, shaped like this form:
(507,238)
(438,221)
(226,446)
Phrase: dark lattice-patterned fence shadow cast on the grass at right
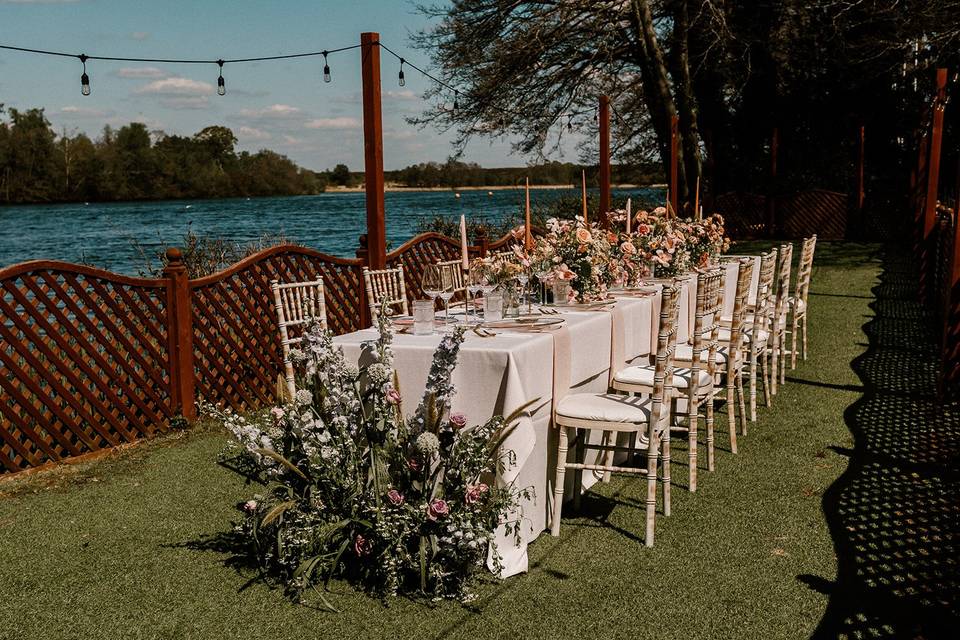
(894,514)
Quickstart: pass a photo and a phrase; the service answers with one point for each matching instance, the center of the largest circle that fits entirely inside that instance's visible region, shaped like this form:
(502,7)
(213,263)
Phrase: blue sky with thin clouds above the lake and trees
(280,105)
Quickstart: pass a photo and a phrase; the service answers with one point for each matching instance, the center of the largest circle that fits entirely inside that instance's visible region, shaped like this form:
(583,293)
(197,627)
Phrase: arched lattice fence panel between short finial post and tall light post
(236,349)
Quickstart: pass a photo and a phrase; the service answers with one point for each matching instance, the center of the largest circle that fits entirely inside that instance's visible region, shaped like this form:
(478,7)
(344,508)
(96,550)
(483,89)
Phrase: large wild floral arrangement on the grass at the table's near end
(352,488)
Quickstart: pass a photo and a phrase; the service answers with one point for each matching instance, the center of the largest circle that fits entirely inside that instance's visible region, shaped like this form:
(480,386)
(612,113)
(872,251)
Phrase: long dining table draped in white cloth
(498,373)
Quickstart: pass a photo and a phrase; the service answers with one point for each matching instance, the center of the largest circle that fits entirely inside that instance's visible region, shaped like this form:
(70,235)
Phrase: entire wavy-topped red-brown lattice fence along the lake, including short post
(91,359)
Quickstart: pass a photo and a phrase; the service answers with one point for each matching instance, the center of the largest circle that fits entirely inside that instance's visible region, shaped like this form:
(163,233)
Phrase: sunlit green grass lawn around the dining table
(136,545)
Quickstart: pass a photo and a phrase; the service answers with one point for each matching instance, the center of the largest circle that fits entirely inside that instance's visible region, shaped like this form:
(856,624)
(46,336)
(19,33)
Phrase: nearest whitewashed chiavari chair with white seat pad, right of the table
(621,413)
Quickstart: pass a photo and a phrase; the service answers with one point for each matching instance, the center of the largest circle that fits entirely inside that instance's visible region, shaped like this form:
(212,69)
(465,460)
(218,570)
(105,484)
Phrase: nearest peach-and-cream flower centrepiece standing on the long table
(581,254)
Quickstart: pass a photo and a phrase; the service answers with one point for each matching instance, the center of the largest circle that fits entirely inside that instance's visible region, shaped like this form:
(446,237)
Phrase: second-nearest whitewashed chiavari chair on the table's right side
(693,384)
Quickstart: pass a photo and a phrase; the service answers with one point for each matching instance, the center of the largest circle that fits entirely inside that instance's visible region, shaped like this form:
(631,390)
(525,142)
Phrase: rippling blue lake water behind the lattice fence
(105,234)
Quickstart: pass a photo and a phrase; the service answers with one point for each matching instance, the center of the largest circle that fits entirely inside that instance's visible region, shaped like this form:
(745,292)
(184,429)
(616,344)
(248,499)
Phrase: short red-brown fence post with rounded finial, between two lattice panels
(179,335)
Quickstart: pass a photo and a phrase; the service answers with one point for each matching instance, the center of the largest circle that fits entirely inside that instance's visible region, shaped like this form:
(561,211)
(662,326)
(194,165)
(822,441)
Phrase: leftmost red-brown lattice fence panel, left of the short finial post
(83,362)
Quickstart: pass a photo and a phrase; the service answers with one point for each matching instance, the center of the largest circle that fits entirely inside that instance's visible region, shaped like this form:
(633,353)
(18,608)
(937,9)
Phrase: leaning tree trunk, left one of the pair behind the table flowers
(656,84)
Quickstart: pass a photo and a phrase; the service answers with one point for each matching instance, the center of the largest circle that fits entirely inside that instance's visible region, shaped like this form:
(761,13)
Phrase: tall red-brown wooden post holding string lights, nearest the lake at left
(373,151)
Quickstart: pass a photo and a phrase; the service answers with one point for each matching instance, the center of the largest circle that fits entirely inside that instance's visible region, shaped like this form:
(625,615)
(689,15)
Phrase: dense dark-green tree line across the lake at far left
(133,163)
